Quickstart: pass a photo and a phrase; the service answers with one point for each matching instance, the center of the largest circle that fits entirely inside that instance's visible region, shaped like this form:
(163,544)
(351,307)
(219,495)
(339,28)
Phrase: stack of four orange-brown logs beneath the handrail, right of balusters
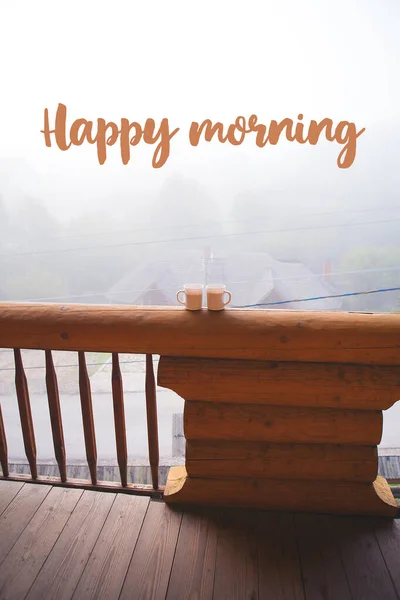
(289,436)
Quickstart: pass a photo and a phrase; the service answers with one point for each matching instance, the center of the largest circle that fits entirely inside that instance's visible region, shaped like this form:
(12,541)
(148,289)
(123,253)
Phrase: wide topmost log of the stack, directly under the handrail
(373,387)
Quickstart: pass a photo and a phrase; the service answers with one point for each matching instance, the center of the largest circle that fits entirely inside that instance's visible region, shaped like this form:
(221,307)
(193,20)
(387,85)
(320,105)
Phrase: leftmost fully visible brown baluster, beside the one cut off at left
(25,413)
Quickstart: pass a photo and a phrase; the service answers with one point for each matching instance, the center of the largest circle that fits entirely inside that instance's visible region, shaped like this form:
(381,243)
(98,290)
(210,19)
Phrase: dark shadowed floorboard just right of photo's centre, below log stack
(236,569)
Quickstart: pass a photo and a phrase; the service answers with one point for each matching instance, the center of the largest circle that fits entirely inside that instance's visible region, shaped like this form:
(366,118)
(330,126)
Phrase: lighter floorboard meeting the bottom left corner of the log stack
(151,564)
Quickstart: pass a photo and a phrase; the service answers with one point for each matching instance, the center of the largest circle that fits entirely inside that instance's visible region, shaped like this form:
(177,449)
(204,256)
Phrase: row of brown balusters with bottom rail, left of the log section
(28,432)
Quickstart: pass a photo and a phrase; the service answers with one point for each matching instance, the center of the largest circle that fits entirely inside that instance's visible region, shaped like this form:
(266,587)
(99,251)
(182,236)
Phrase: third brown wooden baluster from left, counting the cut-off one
(55,415)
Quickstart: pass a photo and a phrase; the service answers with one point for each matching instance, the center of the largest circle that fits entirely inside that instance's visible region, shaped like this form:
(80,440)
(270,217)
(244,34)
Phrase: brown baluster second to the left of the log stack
(119,419)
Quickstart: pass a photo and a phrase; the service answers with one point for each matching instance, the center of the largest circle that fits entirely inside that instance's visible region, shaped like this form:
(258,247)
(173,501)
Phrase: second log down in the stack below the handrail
(288,424)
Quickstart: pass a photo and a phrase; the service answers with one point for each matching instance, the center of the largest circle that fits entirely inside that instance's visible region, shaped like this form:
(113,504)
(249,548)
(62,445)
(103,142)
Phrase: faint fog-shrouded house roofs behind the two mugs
(252,278)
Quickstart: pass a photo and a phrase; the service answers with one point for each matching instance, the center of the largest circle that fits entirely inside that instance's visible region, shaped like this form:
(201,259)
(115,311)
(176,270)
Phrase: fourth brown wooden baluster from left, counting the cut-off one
(87,417)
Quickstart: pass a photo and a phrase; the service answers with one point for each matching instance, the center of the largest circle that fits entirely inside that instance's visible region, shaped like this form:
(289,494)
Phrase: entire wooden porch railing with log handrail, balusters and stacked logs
(283,410)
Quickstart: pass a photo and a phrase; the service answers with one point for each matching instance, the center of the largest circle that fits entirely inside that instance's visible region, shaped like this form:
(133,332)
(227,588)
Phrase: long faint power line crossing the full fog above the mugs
(201,237)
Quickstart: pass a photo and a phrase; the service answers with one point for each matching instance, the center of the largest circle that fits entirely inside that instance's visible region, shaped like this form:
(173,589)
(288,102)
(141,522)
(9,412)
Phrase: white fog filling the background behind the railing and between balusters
(281,225)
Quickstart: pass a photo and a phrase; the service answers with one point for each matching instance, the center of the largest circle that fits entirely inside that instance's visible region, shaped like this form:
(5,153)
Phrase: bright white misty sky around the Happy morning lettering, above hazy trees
(191,61)
